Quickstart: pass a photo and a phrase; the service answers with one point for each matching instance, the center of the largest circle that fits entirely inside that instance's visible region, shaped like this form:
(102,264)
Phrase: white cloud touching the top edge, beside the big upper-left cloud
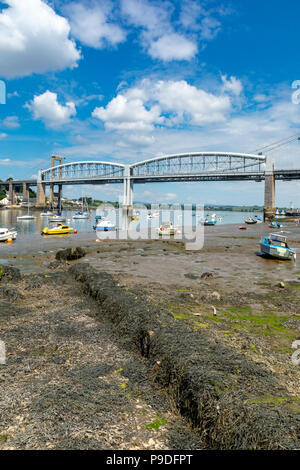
(91,25)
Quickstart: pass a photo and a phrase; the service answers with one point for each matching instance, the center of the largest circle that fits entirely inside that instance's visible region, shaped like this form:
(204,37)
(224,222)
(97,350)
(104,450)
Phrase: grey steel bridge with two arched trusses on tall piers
(196,166)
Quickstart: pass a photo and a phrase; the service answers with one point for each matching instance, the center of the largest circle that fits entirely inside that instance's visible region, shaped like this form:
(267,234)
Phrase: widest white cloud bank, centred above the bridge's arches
(168,103)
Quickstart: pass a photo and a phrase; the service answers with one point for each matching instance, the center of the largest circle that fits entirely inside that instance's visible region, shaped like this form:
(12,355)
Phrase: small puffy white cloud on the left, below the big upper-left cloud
(47,108)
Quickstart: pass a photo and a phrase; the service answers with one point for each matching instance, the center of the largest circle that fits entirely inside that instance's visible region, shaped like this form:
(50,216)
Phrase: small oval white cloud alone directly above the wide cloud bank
(173,47)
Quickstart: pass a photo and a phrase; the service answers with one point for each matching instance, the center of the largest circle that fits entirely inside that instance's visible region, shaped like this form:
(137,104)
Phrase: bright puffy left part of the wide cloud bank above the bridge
(128,113)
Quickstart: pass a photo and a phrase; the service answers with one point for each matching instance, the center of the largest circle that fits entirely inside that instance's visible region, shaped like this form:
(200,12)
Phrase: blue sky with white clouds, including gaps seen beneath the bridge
(126,80)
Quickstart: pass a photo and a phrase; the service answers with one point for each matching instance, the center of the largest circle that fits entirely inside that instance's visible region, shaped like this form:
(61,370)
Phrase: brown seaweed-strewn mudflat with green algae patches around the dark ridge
(75,376)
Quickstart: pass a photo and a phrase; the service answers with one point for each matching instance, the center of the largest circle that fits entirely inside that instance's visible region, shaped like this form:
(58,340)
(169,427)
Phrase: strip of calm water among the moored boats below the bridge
(8,219)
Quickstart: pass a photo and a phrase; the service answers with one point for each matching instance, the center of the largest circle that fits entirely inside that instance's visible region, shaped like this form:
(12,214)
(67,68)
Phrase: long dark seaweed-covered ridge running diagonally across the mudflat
(220,391)
